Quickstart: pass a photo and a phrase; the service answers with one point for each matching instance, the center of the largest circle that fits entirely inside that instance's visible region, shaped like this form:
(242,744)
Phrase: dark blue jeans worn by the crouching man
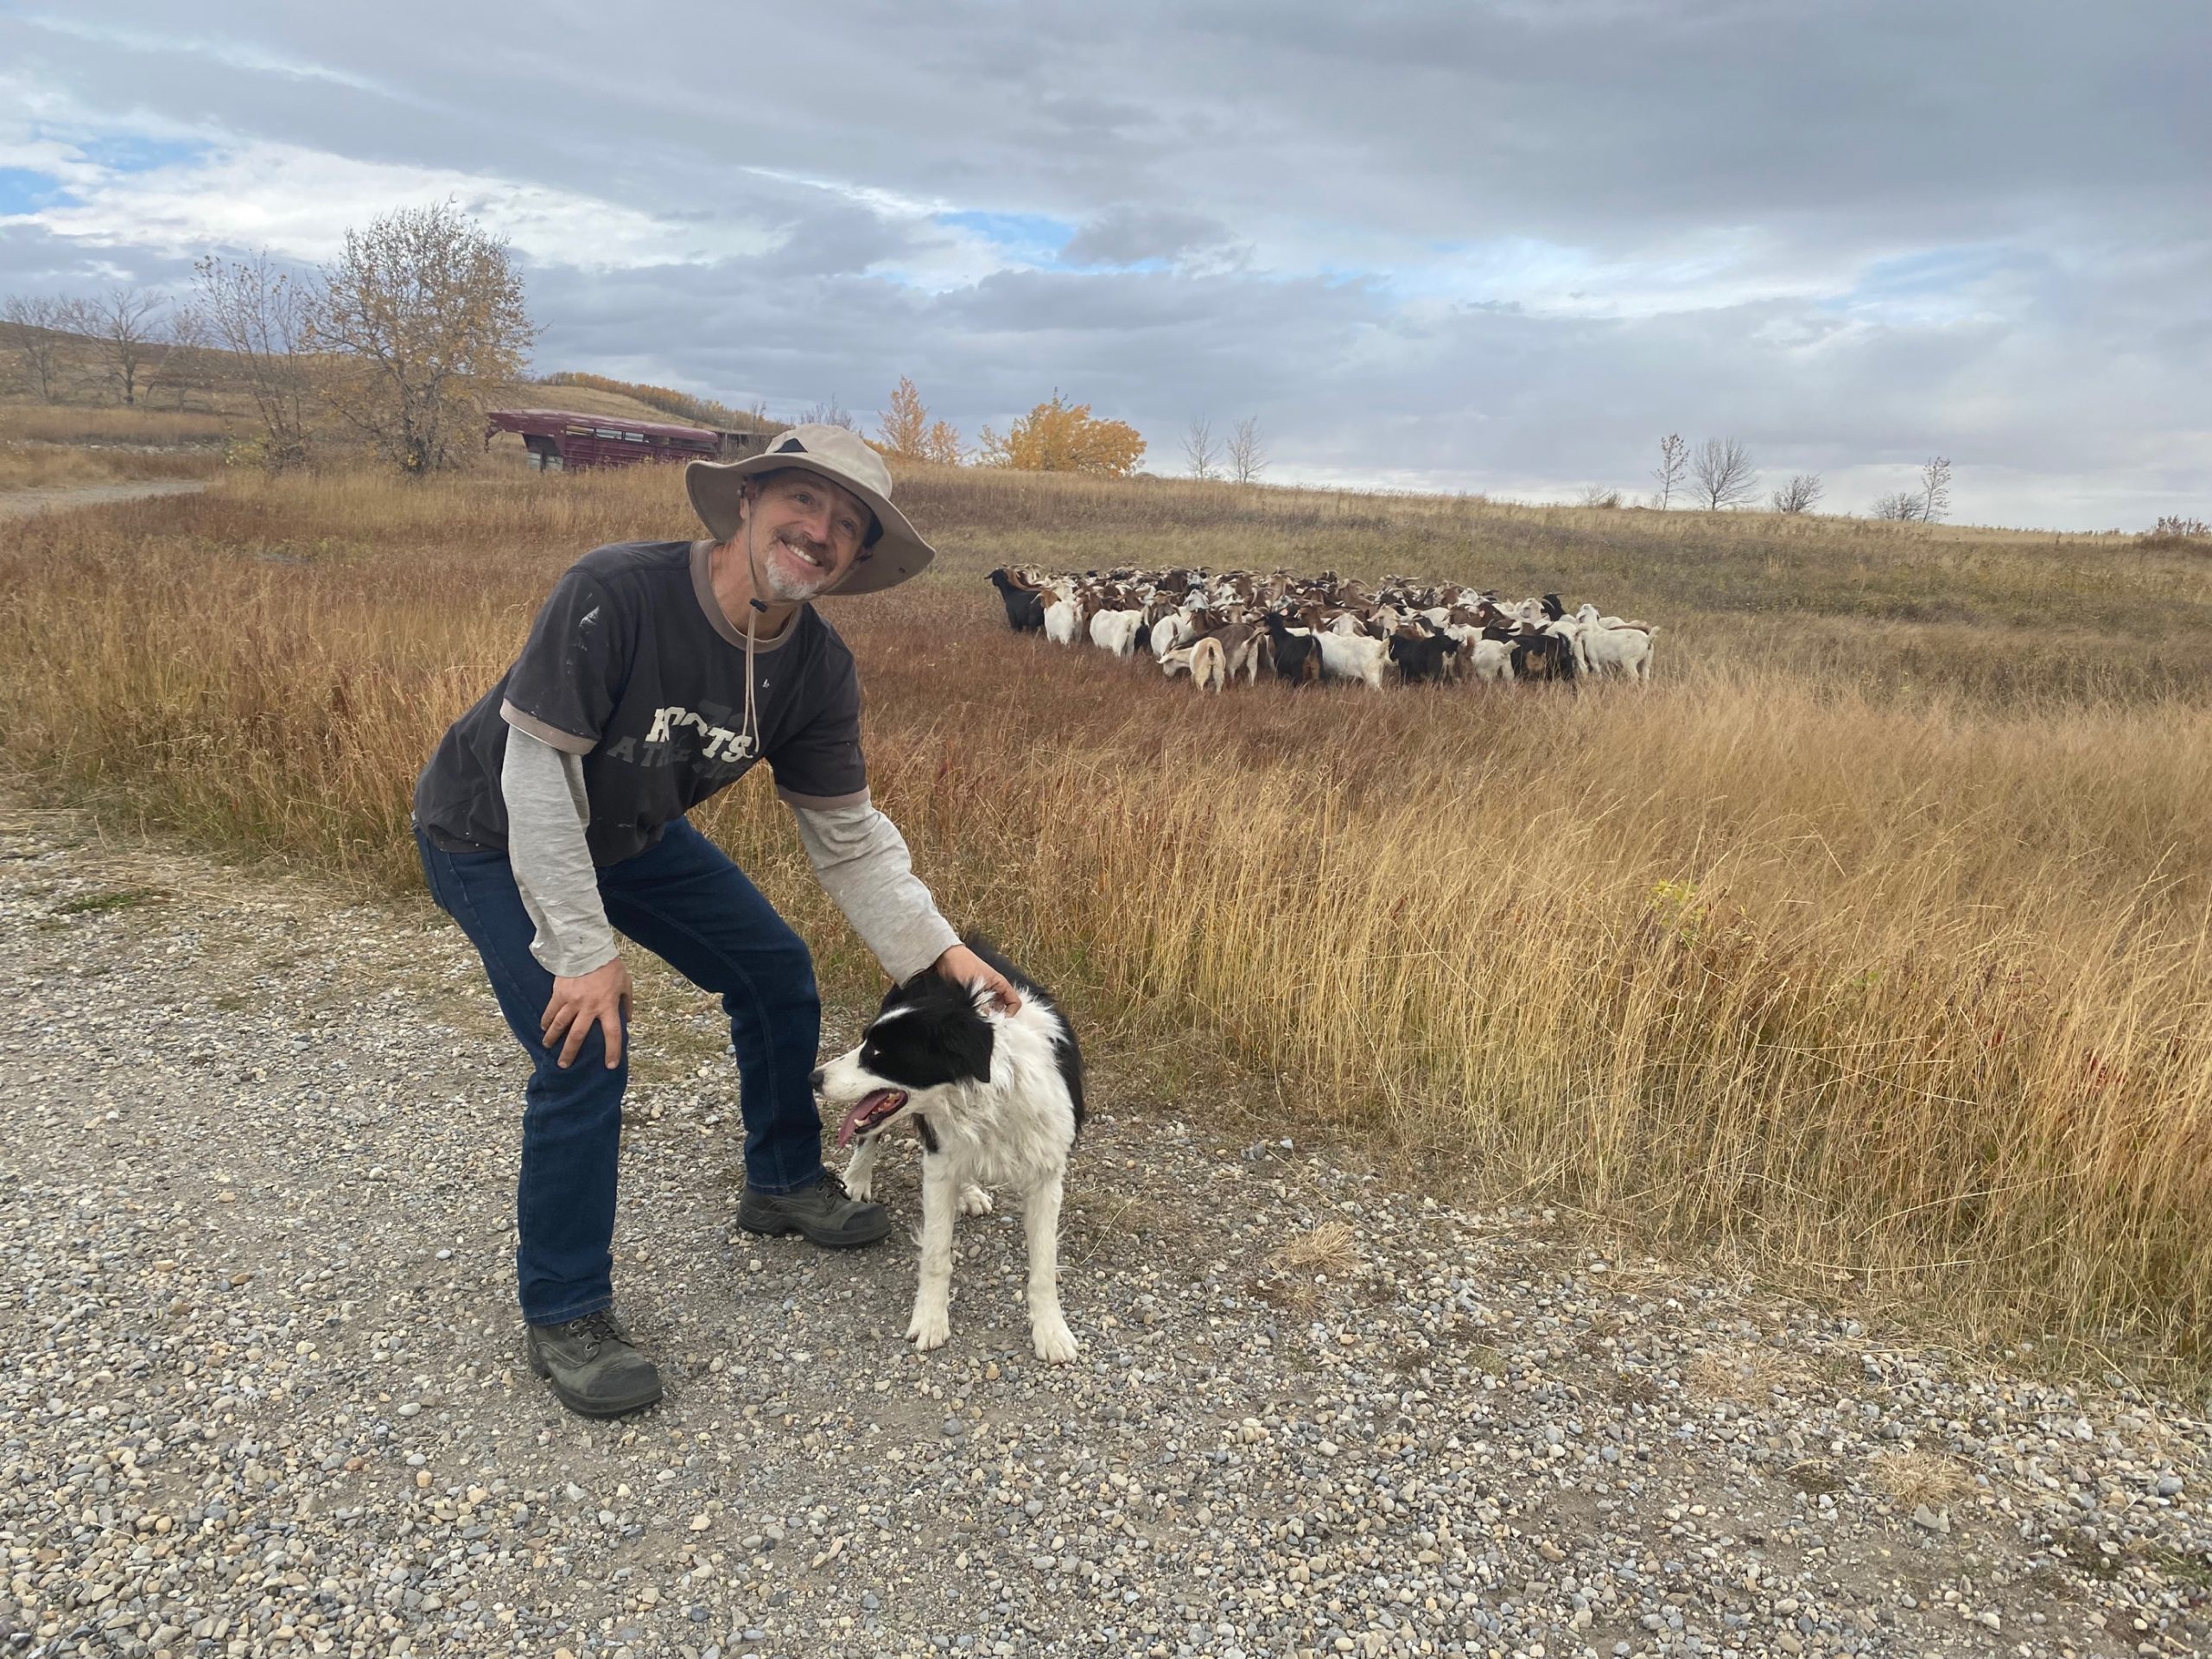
(687,904)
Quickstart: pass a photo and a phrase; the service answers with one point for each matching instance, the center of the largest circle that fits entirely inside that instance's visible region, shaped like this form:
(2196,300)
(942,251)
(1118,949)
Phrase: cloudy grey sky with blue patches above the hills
(1468,244)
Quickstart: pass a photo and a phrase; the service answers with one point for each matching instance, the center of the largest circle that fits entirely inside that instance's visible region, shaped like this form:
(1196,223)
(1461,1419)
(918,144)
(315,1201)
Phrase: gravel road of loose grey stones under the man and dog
(264,1384)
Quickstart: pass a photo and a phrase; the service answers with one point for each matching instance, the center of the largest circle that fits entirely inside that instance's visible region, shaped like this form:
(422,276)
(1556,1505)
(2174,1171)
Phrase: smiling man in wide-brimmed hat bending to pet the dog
(552,817)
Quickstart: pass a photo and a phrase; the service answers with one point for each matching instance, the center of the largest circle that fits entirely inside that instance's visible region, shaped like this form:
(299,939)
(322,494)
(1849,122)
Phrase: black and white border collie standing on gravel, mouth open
(997,1098)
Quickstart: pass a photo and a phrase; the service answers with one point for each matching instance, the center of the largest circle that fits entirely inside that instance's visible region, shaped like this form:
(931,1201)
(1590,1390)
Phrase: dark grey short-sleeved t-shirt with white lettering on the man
(634,667)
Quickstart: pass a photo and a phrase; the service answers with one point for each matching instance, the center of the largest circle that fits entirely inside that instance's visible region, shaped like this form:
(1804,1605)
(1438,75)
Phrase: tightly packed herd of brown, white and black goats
(1215,627)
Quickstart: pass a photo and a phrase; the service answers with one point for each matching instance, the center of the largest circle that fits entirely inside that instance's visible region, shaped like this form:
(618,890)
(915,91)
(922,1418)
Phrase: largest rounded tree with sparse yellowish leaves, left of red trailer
(421,313)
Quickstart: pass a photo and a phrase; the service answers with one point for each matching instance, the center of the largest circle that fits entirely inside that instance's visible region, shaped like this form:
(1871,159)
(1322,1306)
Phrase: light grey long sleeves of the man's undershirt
(857,855)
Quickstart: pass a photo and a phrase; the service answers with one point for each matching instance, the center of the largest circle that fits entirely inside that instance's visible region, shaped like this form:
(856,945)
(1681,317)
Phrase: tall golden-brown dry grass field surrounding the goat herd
(1870,943)
